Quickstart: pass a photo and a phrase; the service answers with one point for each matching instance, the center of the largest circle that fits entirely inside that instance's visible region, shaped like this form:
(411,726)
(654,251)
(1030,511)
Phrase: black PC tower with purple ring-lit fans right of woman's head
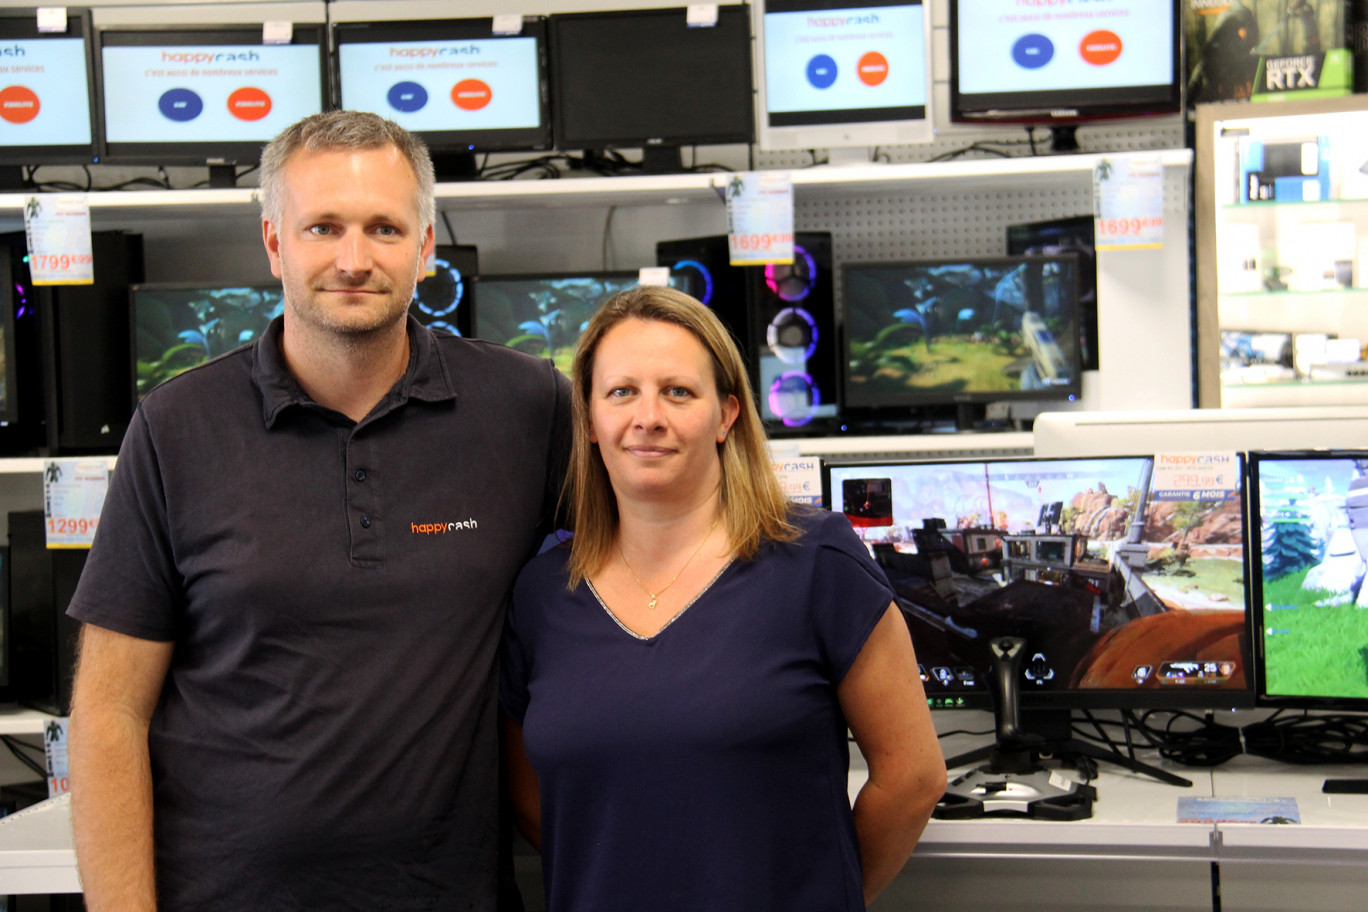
(783,319)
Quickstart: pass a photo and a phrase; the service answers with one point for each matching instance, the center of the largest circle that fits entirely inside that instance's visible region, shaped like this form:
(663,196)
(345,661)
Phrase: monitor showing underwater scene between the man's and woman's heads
(545,314)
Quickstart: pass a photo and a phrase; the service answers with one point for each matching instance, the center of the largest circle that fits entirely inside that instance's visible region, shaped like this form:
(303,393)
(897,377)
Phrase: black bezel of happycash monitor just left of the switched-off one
(458,142)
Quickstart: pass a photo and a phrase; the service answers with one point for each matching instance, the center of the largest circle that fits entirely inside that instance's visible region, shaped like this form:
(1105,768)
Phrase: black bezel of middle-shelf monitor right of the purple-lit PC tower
(893,408)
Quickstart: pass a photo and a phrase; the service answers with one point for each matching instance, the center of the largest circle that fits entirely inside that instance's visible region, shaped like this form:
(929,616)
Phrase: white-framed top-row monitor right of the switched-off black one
(842,73)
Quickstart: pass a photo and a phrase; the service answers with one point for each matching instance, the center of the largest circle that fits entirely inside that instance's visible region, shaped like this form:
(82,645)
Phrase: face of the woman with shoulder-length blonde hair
(655,412)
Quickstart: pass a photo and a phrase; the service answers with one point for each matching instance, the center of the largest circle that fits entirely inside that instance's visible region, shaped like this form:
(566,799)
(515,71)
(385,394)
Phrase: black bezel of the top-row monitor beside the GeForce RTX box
(1066,107)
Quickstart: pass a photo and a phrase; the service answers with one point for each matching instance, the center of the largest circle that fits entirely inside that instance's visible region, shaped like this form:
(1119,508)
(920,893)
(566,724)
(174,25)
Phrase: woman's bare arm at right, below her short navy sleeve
(886,708)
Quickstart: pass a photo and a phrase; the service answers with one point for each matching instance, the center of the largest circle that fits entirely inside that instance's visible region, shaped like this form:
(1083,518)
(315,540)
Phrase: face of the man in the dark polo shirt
(350,247)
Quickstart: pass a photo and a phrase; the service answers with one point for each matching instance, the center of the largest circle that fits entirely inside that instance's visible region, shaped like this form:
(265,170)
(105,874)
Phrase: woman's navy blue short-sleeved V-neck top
(704,768)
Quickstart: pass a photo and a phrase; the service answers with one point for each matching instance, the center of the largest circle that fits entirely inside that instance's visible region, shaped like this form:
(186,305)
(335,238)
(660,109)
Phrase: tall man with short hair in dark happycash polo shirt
(291,613)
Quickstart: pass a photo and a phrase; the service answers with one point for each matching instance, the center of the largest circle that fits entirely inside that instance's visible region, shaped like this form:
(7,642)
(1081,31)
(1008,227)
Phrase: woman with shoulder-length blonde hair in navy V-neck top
(682,678)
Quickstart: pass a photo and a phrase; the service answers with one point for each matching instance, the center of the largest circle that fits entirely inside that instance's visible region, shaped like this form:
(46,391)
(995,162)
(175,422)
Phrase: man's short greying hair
(344,131)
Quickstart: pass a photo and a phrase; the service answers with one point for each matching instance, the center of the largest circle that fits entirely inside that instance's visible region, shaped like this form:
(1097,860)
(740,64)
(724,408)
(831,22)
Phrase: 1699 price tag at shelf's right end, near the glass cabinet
(1129,203)
